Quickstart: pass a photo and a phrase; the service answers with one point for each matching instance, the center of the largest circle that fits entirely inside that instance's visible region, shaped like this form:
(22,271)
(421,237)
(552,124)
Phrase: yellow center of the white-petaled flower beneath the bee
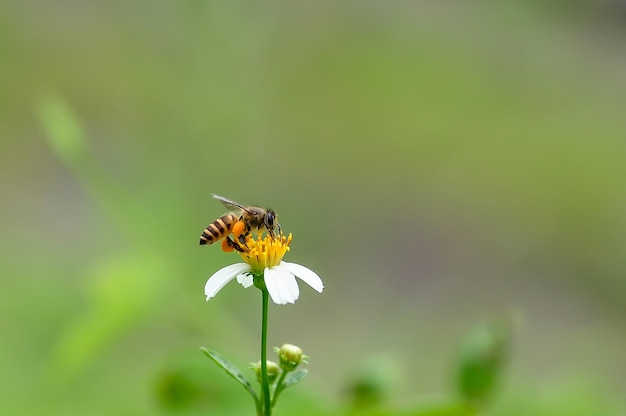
(265,251)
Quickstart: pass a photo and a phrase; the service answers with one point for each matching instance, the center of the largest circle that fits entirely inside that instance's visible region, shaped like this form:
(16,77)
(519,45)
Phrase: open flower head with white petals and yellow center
(263,257)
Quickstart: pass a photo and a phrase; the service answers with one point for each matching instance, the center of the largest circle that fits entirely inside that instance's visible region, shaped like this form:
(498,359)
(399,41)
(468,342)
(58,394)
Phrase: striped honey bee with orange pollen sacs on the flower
(240,222)
